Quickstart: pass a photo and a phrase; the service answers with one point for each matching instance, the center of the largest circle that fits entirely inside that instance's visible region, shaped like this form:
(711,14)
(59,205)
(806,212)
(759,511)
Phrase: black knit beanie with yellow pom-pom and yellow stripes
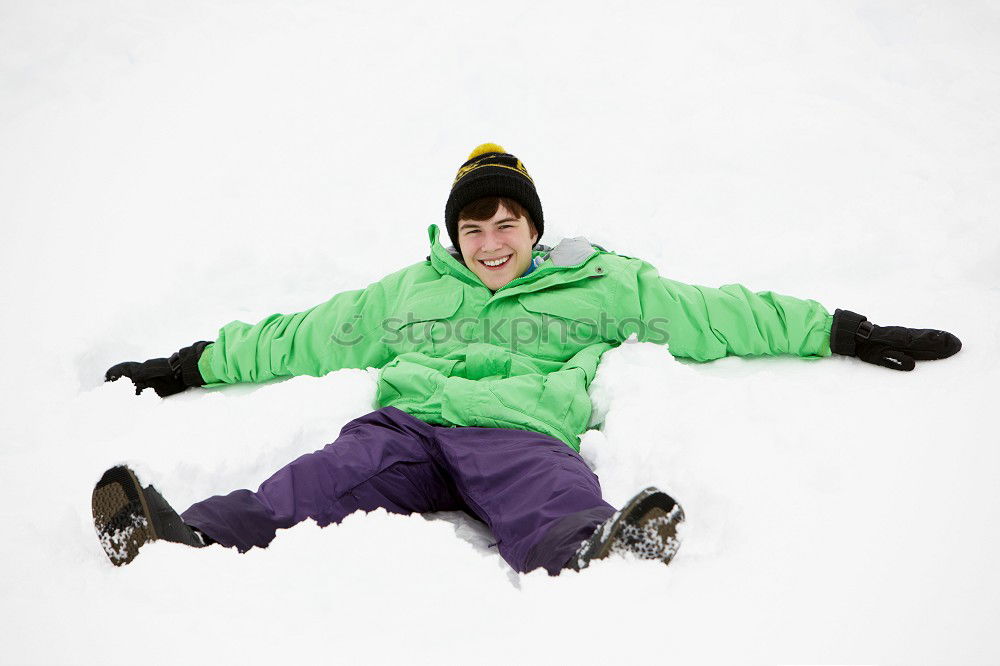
(491,172)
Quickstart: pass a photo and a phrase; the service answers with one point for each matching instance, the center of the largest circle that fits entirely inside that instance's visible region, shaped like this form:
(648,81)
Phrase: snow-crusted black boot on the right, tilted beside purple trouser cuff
(646,527)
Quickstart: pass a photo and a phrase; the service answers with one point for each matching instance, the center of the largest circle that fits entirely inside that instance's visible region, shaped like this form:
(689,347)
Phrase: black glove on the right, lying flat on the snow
(893,347)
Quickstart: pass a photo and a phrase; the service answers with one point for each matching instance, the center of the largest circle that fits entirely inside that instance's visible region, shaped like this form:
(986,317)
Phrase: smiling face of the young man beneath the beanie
(497,250)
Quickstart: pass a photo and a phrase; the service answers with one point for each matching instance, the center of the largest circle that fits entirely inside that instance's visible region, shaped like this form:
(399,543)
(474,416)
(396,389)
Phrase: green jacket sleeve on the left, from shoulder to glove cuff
(344,332)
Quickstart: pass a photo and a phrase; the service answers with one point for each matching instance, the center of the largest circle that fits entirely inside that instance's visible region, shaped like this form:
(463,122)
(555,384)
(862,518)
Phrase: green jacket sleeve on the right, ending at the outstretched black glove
(704,323)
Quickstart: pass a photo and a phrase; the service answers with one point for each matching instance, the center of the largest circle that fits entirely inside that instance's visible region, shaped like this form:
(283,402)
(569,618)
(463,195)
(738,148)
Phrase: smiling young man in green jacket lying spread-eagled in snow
(486,352)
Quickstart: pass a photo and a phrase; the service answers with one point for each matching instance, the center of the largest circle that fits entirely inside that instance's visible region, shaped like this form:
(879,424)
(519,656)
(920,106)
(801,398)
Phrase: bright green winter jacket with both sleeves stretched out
(453,353)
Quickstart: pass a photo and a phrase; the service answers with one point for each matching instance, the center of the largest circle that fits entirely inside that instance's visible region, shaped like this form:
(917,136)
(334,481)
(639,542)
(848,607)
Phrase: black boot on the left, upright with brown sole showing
(127,516)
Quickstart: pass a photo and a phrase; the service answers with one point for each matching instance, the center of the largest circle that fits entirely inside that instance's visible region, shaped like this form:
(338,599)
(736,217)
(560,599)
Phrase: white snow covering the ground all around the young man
(167,167)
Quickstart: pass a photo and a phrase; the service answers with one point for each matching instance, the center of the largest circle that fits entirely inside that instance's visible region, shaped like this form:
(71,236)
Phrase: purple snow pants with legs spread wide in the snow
(535,493)
